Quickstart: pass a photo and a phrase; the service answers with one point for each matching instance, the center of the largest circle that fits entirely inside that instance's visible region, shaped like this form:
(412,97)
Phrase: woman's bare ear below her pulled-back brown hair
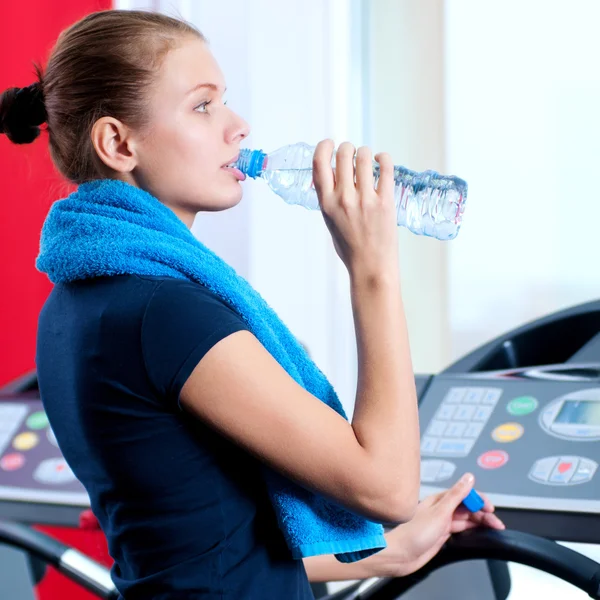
(114,145)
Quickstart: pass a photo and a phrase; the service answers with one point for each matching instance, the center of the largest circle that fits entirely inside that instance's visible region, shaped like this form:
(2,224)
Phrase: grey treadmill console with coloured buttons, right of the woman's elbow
(522,413)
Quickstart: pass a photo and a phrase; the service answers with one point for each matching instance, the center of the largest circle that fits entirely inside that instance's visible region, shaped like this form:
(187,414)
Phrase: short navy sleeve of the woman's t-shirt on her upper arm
(182,322)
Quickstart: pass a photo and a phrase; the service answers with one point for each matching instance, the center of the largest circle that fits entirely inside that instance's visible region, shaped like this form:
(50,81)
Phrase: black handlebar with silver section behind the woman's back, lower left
(76,566)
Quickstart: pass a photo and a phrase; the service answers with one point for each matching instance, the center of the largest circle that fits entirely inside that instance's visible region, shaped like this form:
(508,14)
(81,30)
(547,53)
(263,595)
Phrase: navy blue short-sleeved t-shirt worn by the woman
(185,511)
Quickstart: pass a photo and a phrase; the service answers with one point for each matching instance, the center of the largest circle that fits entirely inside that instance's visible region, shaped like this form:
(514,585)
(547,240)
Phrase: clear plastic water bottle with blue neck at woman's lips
(426,203)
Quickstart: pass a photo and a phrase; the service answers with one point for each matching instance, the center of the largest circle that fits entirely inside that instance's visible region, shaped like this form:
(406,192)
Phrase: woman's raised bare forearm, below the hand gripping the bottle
(385,417)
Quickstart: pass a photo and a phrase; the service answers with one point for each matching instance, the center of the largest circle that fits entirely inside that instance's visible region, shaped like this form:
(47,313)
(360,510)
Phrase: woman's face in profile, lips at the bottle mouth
(192,135)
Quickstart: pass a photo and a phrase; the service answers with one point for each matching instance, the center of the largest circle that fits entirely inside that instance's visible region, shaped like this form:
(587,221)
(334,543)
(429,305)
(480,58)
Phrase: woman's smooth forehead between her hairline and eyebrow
(187,65)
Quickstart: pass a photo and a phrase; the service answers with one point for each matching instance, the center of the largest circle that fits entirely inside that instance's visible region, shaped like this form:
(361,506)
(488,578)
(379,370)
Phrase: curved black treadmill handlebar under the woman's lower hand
(475,544)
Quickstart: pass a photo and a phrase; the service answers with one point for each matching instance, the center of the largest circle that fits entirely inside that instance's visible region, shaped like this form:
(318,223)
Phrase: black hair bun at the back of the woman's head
(22,111)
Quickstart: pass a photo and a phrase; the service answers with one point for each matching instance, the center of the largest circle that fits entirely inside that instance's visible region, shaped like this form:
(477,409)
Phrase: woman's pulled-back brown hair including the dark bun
(103,65)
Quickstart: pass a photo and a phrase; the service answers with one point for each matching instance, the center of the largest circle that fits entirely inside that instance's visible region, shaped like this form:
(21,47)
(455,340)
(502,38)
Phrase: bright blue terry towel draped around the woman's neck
(108,227)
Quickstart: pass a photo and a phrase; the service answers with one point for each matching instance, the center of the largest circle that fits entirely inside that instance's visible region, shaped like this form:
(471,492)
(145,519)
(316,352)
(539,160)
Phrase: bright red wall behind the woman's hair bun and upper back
(28,181)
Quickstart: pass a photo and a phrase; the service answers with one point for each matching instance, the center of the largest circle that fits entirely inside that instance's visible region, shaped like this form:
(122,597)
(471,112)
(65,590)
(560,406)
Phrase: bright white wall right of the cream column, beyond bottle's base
(523,124)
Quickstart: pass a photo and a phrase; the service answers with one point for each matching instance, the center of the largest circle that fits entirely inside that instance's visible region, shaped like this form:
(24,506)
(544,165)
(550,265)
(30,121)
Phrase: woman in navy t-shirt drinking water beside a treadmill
(165,394)
